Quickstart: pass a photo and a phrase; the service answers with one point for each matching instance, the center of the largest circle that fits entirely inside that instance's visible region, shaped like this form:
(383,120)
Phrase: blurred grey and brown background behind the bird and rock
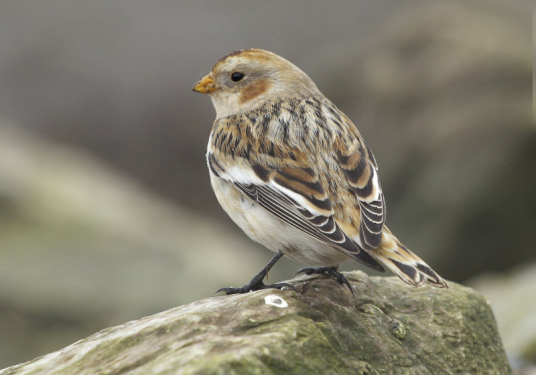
(106,210)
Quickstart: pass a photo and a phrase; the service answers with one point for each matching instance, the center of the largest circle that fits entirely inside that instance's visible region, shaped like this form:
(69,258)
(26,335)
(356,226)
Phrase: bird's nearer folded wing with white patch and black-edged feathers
(296,196)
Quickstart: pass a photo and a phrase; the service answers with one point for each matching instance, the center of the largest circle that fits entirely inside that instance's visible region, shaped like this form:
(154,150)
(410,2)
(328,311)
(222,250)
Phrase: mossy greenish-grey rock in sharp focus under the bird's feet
(386,327)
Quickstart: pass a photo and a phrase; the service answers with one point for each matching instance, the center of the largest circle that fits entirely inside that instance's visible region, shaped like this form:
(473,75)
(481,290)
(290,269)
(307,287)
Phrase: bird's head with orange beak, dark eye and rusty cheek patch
(246,79)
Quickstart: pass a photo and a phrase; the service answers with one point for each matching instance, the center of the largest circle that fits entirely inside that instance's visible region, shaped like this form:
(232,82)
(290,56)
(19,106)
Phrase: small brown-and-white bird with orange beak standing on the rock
(294,173)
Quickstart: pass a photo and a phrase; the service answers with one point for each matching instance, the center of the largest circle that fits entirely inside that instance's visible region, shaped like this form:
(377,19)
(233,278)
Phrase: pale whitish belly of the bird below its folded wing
(263,227)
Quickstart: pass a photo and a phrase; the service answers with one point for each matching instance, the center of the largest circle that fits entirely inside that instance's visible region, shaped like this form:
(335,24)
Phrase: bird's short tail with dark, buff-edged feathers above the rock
(404,263)
